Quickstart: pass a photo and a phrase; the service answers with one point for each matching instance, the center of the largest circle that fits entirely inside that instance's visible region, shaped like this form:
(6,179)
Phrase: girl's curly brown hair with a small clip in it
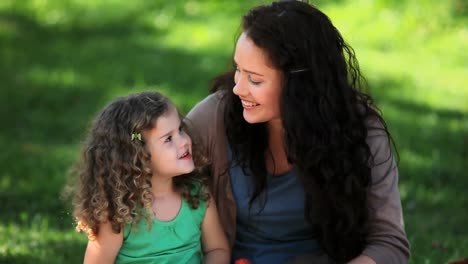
(113,179)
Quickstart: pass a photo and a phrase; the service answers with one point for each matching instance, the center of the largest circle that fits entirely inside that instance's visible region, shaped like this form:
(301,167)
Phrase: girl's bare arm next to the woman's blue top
(215,245)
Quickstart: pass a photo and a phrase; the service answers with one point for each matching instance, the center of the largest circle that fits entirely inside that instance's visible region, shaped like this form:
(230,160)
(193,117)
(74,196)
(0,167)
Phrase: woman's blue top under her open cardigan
(277,230)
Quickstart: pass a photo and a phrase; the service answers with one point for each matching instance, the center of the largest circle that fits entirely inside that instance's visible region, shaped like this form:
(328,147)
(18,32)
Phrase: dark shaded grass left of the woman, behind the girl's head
(53,83)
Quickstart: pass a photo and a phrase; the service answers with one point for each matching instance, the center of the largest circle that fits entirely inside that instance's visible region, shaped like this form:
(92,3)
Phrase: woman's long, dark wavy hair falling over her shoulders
(325,116)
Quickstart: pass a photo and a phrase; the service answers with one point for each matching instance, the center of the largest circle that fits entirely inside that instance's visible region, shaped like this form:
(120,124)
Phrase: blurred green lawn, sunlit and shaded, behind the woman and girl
(63,60)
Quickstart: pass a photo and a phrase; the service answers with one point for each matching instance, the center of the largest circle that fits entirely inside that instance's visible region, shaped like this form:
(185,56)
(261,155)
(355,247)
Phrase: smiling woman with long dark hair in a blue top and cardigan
(302,166)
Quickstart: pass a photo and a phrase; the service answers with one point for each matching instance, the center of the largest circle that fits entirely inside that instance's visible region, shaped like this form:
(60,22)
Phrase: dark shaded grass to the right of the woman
(433,147)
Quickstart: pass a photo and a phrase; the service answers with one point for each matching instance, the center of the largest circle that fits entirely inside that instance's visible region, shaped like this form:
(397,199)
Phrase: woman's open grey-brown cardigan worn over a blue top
(386,243)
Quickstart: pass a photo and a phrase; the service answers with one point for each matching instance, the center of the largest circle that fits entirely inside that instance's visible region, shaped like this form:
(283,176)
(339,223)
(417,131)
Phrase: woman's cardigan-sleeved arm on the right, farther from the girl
(387,241)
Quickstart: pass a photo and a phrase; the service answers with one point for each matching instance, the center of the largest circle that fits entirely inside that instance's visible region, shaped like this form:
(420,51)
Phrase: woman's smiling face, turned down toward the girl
(258,85)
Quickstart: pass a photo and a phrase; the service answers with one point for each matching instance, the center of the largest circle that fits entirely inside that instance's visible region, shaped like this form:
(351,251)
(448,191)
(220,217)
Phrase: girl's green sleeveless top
(175,241)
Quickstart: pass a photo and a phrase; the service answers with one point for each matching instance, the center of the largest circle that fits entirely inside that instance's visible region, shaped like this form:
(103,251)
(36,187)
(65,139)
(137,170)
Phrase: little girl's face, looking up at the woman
(170,146)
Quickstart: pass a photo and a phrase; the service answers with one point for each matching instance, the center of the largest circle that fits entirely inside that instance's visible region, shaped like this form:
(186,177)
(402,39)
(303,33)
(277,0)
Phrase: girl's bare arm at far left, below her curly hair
(104,248)
